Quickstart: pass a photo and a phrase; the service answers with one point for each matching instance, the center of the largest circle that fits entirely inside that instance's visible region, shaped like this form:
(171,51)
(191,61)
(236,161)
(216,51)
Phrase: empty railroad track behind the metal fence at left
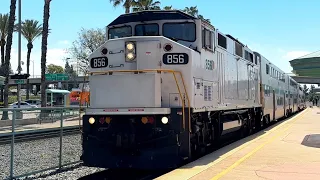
(29,135)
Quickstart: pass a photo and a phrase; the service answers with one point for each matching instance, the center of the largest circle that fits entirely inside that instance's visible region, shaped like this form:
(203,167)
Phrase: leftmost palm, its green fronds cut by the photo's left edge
(4,21)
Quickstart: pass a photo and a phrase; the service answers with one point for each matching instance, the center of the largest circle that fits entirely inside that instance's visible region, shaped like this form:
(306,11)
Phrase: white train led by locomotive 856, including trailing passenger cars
(166,85)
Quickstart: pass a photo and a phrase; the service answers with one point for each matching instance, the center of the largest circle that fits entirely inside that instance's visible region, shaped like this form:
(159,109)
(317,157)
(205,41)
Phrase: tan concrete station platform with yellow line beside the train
(289,149)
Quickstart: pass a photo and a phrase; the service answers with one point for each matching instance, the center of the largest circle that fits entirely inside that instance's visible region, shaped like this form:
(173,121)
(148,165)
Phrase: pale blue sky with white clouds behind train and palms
(279,29)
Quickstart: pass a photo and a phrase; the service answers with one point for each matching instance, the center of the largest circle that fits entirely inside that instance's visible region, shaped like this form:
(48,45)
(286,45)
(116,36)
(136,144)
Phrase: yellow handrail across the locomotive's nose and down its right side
(176,81)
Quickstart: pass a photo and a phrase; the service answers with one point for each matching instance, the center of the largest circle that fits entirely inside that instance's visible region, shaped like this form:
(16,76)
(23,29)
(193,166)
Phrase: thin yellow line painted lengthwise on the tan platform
(237,163)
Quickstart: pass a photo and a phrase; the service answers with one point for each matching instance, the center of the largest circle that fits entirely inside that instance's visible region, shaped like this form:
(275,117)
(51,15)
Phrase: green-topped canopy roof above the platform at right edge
(307,66)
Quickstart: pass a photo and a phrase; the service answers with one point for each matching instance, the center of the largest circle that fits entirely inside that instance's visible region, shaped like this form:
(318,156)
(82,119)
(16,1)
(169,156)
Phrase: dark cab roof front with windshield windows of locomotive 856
(178,26)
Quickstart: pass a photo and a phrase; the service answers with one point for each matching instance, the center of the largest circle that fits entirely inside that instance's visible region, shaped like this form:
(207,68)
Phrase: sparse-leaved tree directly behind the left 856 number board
(88,41)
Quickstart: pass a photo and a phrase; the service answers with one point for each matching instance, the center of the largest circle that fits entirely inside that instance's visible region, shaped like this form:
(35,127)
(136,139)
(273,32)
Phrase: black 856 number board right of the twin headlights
(175,58)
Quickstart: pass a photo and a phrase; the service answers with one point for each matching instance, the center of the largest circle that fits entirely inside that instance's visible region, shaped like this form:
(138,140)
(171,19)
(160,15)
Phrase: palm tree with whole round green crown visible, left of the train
(30,29)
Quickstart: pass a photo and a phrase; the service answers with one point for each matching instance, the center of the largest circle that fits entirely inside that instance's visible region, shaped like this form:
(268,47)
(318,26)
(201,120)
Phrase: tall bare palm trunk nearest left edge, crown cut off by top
(7,55)
